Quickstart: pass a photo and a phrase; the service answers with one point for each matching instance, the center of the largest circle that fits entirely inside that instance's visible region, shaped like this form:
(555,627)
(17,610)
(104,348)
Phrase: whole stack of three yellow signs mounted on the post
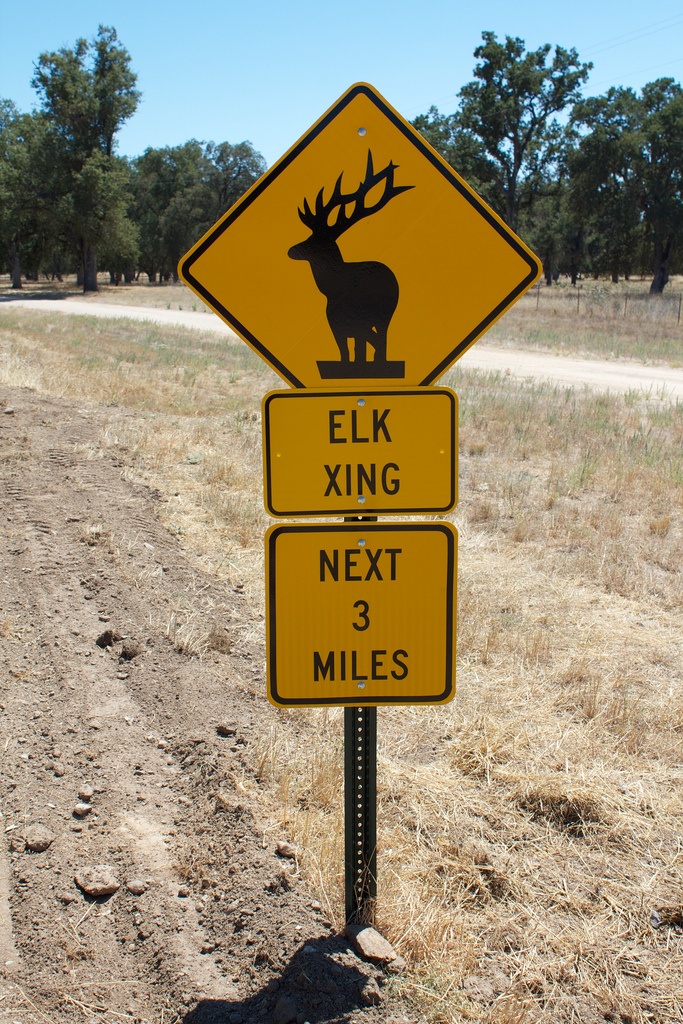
(354,268)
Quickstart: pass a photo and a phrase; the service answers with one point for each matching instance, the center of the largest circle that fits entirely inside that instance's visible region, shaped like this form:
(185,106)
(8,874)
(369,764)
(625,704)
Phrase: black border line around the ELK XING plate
(367,509)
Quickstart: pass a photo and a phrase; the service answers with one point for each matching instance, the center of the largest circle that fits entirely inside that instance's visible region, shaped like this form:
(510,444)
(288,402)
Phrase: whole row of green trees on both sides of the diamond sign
(594,185)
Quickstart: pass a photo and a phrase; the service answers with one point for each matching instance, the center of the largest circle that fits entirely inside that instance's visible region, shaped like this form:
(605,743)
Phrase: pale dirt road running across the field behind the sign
(616,375)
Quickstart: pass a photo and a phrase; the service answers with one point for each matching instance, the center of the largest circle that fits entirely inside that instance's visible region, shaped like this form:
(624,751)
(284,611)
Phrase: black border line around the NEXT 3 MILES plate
(368,528)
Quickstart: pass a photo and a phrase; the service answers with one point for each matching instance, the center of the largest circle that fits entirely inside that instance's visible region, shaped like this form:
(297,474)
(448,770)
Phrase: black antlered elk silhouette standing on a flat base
(362,297)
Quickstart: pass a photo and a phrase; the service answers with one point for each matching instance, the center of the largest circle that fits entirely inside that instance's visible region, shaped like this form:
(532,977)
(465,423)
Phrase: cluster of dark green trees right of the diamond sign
(602,194)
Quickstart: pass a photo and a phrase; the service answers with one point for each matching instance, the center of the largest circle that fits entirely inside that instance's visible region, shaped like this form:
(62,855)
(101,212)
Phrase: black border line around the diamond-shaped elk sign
(284,163)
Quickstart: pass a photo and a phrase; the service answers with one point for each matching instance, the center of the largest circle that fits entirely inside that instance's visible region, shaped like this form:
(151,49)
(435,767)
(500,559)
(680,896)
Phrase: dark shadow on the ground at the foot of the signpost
(320,990)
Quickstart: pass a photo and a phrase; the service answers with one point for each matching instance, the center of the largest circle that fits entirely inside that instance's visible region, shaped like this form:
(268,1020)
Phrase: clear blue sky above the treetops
(266,70)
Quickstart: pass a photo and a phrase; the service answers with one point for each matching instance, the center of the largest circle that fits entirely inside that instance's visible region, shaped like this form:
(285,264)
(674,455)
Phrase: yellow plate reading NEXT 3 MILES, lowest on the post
(361,614)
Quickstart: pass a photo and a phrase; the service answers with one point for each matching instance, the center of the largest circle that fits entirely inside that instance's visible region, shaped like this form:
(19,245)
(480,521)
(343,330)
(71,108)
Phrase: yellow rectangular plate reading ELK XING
(375,452)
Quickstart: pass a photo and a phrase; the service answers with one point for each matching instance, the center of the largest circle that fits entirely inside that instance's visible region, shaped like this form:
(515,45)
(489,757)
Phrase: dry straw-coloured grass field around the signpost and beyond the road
(530,833)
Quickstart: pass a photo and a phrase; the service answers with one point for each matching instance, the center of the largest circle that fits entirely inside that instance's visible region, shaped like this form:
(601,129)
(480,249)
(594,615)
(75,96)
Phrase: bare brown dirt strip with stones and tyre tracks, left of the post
(141,855)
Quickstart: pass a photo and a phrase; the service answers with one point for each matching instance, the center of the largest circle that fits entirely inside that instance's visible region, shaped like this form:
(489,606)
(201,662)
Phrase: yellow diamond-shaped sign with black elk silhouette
(361,258)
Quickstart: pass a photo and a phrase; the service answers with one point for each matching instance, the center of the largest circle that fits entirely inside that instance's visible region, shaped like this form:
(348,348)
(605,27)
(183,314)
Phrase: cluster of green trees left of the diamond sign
(68,201)
